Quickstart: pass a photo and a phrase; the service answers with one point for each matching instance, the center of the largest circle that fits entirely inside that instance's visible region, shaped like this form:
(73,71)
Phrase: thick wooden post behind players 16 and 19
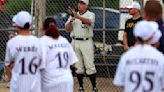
(39,15)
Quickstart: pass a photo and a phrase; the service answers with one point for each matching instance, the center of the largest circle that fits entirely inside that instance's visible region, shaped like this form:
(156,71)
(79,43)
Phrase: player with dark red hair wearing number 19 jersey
(59,56)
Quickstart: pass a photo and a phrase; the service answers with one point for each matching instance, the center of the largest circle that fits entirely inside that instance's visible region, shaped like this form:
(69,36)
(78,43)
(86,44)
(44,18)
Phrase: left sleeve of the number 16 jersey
(8,57)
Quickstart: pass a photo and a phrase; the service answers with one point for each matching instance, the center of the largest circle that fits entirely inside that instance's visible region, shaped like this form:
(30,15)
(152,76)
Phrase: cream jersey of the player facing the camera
(81,30)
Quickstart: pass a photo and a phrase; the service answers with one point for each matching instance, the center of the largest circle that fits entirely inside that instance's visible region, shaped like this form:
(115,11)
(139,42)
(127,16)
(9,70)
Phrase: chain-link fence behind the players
(109,24)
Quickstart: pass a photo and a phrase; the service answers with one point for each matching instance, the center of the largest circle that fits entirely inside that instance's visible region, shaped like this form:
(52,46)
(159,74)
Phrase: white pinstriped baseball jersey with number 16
(25,53)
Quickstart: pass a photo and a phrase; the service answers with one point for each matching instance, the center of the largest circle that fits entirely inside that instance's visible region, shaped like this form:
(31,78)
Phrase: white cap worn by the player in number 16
(21,18)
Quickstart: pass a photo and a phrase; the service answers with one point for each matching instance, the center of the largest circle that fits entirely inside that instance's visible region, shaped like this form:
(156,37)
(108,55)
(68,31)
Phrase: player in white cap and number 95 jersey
(141,68)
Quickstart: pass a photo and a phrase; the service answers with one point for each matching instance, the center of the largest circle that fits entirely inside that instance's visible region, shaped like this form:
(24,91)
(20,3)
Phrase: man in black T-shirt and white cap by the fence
(128,37)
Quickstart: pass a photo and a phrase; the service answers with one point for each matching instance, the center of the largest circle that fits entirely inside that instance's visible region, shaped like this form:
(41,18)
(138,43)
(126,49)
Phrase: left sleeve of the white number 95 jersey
(120,73)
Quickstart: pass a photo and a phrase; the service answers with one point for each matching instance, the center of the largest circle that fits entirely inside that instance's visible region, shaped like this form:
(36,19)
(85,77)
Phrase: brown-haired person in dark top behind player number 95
(153,12)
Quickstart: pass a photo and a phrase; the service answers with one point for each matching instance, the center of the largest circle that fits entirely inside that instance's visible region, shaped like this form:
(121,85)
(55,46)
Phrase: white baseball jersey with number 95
(141,69)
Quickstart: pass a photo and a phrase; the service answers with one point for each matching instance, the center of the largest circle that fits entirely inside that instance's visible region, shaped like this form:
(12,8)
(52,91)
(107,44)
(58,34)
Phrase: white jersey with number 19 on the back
(59,55)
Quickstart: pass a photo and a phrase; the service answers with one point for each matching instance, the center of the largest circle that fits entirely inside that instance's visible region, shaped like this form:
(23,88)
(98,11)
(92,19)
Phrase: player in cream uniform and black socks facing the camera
(81,25)
